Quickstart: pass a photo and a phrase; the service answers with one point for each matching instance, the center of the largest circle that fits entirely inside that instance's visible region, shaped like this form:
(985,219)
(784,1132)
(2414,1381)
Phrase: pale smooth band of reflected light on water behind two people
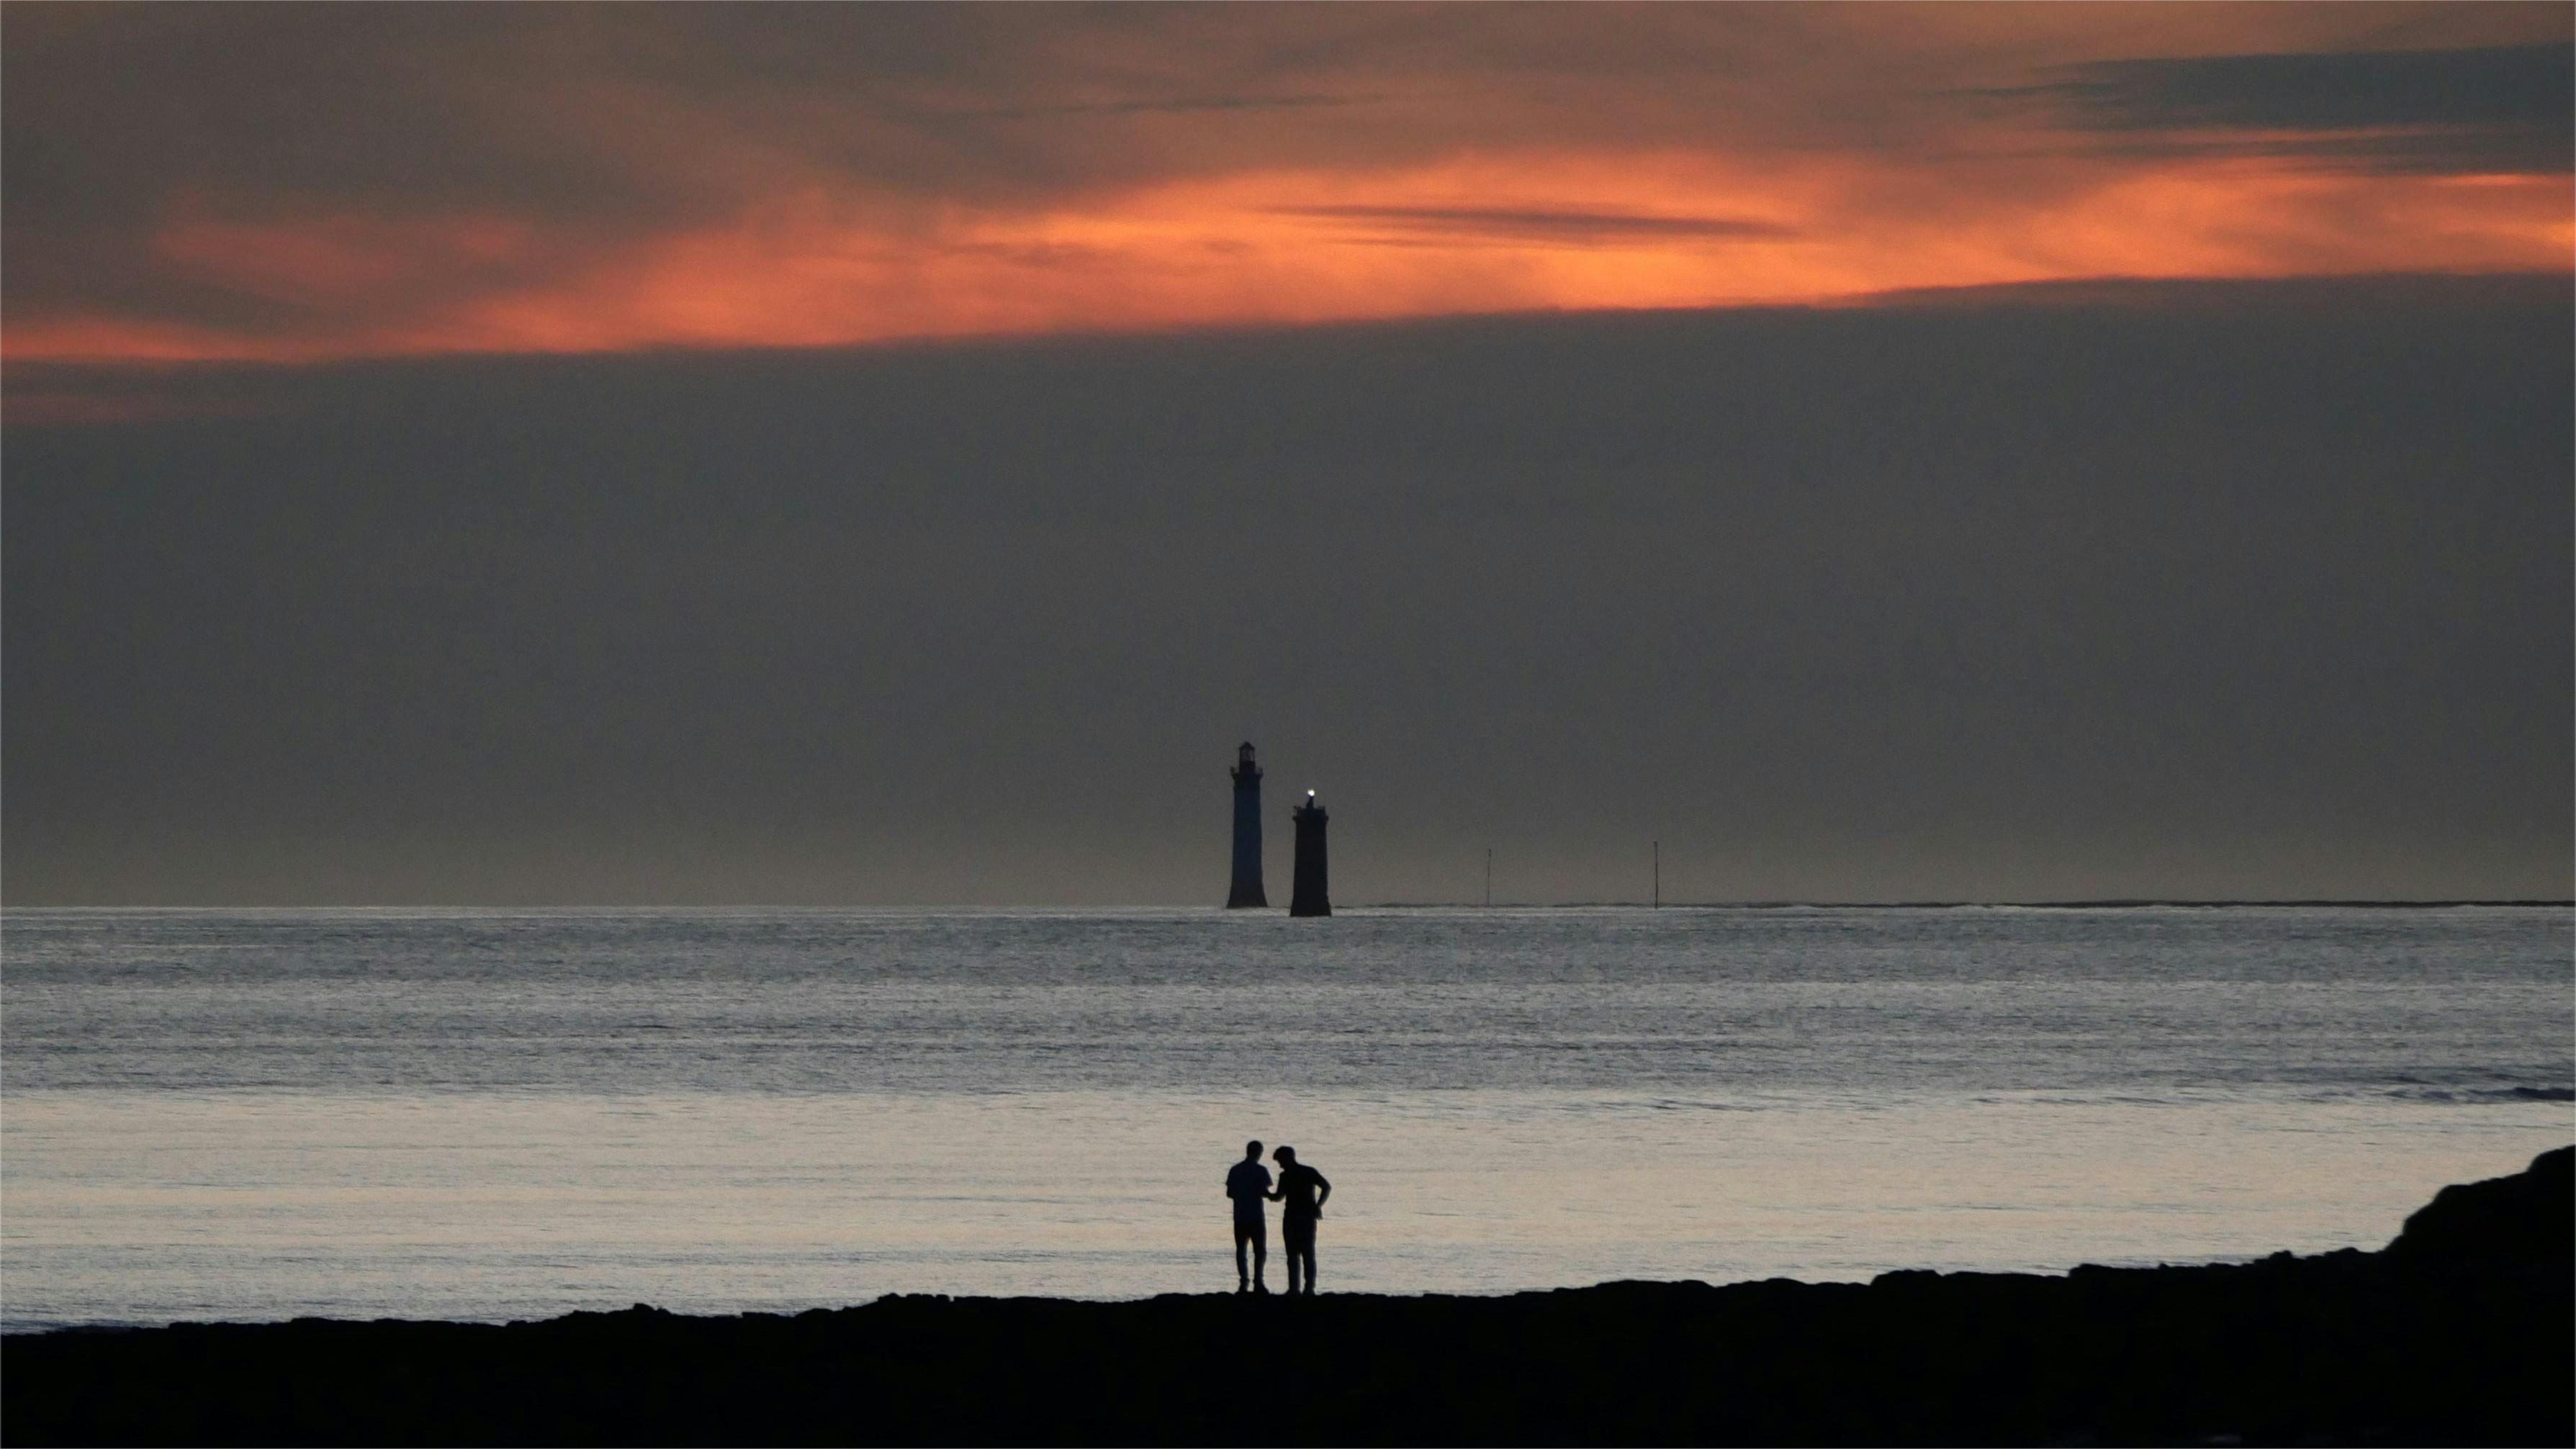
(272,1206)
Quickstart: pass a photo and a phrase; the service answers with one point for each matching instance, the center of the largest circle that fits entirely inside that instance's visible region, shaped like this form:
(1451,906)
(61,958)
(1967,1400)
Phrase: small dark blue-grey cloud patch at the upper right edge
(2438,109)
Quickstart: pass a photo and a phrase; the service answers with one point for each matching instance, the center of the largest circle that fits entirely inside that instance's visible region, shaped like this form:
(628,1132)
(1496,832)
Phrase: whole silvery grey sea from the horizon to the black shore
(493,1116)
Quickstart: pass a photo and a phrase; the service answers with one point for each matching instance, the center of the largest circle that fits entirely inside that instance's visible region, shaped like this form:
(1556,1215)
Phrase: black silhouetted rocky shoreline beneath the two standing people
(2461,1332)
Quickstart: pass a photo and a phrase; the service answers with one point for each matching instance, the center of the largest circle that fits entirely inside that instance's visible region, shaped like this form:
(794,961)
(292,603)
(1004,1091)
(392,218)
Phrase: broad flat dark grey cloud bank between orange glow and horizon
(2119,591)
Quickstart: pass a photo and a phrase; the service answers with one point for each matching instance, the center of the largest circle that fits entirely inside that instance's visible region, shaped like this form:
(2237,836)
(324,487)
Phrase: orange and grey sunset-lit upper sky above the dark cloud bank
(298,184)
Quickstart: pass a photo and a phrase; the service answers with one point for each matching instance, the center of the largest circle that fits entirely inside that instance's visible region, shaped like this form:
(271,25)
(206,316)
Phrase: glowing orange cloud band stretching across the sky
(1495,235)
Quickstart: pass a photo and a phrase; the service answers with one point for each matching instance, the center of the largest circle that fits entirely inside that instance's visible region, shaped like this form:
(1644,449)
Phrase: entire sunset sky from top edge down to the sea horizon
(895,452)
